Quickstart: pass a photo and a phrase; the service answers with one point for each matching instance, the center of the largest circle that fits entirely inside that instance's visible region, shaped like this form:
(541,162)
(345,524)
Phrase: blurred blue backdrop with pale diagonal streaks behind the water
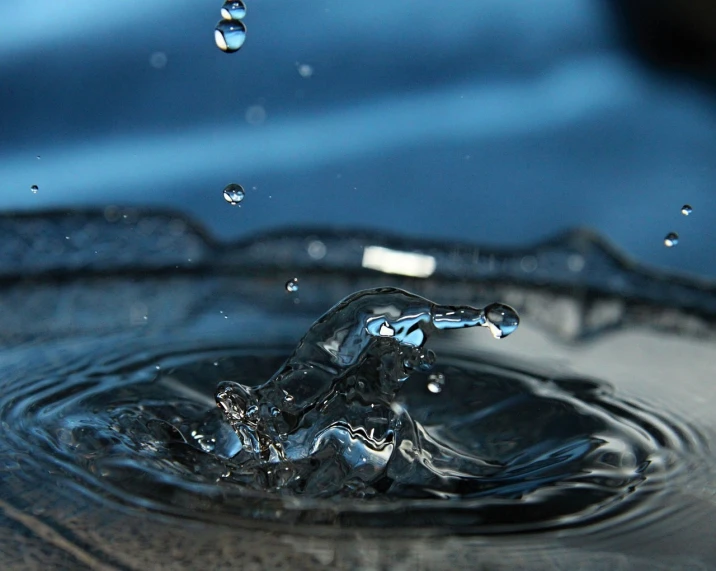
(486,121)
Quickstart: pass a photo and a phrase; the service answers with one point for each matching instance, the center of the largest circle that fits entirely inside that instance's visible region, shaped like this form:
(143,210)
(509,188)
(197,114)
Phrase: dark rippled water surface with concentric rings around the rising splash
(582,438)
